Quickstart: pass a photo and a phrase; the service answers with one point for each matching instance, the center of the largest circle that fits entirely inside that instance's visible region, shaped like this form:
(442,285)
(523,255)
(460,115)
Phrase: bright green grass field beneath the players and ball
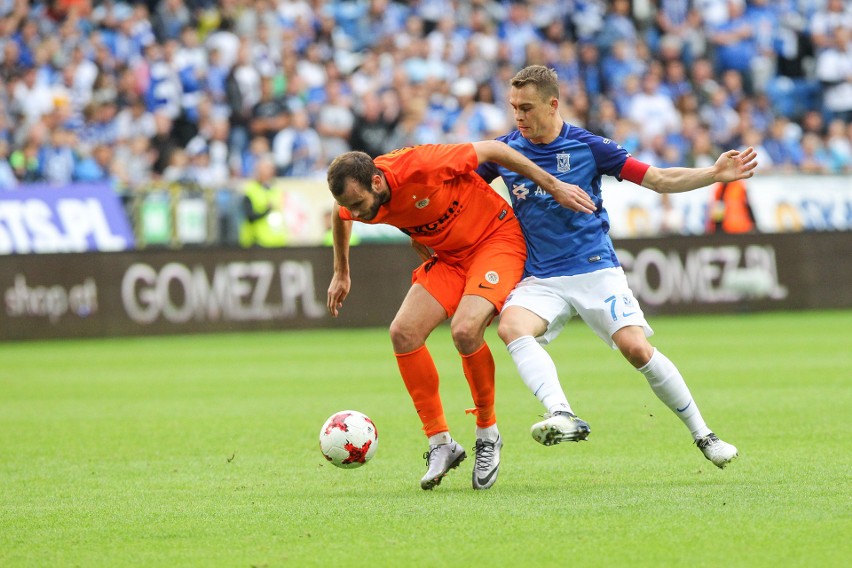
(202,451)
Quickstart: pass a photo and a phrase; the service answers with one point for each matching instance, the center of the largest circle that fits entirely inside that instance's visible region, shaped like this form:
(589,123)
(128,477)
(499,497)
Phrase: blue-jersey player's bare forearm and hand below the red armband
(731,165)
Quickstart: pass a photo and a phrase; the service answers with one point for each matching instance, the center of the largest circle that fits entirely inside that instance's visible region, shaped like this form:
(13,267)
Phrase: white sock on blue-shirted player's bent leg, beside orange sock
(539,373)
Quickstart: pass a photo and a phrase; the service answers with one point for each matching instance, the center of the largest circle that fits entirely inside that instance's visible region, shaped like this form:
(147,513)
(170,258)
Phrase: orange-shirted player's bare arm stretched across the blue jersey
(568,195)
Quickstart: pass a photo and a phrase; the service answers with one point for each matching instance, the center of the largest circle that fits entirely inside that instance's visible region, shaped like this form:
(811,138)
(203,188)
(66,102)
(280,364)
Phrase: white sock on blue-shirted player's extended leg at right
(668,384)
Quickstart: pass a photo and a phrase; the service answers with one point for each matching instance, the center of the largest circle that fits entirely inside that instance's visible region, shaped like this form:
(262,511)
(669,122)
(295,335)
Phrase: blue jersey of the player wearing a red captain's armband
(561,242)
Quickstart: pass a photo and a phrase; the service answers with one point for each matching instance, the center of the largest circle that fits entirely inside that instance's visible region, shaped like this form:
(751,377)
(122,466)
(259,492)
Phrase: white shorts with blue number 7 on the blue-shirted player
(601,298)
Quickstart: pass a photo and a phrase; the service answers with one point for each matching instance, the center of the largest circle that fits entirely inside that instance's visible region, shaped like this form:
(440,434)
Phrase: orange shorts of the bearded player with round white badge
(490,271)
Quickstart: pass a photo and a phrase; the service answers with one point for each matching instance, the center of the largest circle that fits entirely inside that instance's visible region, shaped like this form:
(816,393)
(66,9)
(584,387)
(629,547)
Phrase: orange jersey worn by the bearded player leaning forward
(438,199)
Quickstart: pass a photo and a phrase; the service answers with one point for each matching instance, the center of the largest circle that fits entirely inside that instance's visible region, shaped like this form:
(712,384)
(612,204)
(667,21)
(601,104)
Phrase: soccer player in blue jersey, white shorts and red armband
(571,266)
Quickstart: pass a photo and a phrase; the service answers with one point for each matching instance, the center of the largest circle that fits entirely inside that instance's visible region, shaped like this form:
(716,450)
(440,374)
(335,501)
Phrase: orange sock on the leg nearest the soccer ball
(421,379)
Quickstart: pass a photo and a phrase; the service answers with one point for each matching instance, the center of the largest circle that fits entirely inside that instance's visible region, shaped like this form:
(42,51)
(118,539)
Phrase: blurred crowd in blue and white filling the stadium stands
(196,91)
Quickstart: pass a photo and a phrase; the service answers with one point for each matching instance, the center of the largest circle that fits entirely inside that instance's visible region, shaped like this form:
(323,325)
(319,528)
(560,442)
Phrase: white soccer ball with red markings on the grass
(348,439)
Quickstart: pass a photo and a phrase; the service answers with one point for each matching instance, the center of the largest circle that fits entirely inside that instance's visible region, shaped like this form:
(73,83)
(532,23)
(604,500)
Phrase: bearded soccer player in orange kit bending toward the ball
(473,253)
